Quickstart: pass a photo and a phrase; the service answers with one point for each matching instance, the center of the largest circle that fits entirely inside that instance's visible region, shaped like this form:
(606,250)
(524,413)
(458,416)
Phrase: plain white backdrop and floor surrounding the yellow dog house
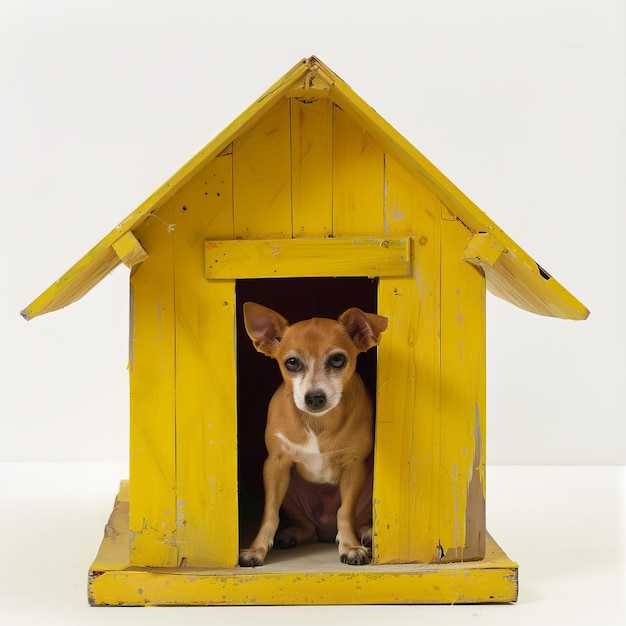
(520,103)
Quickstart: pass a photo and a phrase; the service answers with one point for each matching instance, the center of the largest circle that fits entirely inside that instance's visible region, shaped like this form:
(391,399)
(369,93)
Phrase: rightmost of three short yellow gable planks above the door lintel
(358,180)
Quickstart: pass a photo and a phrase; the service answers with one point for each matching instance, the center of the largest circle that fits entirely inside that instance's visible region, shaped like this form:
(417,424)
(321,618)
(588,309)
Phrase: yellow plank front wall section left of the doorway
(183,488)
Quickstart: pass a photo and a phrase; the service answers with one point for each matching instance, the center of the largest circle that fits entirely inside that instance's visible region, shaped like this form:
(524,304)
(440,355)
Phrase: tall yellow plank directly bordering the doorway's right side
(406,507)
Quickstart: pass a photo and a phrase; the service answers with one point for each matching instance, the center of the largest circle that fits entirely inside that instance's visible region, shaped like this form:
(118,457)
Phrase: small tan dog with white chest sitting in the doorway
(319,433)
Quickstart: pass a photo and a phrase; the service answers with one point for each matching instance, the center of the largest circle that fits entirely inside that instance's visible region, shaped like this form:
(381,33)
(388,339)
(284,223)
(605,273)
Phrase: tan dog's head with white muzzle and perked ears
(317,357)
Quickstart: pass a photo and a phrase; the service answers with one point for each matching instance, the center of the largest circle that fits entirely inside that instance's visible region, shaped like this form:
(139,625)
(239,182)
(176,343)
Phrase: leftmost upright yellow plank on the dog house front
(152,368)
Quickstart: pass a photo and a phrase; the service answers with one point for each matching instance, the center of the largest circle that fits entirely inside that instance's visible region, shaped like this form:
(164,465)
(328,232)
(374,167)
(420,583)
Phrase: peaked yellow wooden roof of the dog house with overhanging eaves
(511,273)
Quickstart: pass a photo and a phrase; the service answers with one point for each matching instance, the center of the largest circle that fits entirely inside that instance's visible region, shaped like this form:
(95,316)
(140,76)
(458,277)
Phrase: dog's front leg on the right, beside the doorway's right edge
(351,482)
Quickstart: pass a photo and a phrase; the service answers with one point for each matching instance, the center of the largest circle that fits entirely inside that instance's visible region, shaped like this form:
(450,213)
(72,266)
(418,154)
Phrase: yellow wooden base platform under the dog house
(305,575)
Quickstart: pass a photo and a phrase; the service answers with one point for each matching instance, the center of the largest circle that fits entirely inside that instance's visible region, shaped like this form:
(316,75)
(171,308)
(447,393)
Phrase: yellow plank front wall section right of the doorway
(430,454)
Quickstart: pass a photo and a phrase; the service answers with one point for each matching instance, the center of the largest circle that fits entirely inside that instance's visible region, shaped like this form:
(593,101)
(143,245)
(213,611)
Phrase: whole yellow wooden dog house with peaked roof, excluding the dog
(309,202)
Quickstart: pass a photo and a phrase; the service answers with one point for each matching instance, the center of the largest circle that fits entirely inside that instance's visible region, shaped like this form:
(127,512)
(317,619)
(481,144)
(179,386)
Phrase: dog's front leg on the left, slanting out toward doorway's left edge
(276,472)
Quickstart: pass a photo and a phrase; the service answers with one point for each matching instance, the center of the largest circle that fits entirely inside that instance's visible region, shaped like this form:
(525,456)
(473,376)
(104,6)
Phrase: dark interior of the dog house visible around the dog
(258,376)
